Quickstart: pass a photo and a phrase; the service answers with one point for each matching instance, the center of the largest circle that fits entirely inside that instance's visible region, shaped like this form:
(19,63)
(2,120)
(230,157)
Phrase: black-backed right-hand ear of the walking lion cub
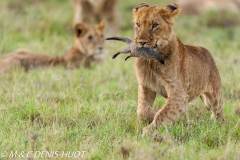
(170,12)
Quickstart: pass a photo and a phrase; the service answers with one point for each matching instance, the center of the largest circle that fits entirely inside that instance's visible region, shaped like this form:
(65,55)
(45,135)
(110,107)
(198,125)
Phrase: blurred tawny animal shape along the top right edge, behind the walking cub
(200,6)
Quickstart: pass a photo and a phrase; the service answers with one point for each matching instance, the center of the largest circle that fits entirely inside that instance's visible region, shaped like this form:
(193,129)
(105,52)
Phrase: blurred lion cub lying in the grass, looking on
(88,48)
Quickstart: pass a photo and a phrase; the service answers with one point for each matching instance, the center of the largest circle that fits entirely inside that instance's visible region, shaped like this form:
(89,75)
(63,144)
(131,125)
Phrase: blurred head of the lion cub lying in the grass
(90,39)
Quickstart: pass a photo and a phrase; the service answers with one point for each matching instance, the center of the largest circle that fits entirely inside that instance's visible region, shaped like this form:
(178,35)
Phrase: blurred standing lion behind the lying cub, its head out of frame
(93,11)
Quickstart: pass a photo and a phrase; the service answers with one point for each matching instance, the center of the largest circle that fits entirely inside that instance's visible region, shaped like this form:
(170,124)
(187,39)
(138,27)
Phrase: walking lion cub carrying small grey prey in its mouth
(188,72)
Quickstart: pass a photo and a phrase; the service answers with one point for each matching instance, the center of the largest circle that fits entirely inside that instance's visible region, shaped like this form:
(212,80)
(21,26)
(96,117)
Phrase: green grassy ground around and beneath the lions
(95,110)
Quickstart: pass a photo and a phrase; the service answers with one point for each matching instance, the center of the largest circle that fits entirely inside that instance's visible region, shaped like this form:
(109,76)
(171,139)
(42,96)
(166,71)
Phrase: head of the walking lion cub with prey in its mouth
(153,25)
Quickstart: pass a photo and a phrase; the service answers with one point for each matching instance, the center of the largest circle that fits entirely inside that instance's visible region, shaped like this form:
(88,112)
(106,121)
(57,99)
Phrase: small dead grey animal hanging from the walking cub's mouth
(137,51)
